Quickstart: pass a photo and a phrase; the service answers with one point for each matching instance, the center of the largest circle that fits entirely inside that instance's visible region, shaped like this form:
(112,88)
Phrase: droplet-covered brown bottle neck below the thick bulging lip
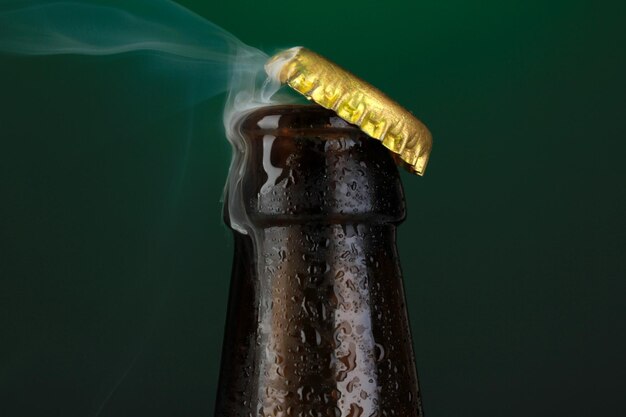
(325,307)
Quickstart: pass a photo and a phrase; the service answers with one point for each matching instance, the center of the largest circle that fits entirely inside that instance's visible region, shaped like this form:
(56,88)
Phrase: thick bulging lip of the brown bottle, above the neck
(306,165)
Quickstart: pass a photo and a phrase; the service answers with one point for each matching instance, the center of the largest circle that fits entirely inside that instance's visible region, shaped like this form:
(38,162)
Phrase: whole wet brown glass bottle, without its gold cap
(317,324)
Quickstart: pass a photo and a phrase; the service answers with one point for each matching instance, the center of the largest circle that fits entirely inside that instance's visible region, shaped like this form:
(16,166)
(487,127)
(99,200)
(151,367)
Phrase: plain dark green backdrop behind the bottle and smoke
(114,262)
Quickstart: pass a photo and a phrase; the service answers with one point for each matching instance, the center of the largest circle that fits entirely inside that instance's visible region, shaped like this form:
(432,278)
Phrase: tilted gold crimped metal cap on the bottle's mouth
(356,102)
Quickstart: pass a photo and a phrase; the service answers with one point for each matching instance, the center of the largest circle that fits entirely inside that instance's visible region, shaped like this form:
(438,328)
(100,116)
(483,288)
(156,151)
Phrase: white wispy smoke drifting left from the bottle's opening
(204,58)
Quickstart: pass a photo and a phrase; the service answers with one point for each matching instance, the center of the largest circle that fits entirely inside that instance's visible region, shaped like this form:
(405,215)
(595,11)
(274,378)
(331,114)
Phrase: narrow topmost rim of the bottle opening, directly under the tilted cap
(294,119)
